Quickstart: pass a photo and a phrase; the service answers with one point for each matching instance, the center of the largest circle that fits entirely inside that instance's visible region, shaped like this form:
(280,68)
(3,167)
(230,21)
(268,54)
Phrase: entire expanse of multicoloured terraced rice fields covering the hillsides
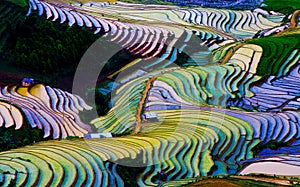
(242,91)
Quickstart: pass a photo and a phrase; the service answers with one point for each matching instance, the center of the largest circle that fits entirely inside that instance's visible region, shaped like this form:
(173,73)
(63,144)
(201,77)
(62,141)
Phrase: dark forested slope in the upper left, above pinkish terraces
(38,47)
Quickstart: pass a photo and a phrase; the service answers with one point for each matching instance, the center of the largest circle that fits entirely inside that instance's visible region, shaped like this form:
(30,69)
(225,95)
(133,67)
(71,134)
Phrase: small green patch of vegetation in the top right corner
(286,7)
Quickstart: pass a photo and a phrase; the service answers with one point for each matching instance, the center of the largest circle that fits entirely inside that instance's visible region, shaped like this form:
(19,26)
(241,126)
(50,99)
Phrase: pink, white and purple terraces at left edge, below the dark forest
(53,110)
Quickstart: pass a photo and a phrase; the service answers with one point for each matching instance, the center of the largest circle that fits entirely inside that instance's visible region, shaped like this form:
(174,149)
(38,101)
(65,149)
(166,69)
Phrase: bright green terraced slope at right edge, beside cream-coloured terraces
(275,51)
